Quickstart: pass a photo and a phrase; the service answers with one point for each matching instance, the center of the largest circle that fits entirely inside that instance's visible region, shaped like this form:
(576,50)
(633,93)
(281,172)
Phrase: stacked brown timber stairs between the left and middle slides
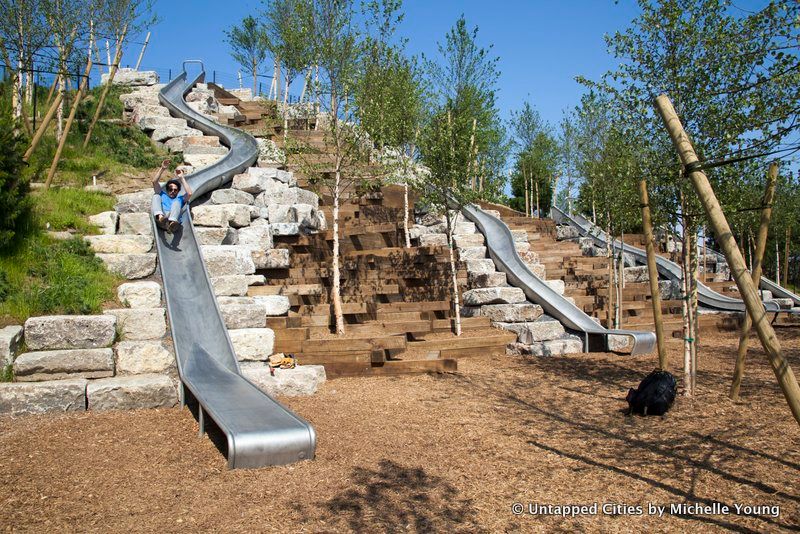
(396,301)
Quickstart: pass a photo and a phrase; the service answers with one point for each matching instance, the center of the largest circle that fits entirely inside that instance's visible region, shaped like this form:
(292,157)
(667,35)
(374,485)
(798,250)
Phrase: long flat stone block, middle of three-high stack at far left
(61,364)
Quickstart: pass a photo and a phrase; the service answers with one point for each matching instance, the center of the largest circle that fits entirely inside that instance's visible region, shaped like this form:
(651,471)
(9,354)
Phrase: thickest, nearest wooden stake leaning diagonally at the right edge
(724,235)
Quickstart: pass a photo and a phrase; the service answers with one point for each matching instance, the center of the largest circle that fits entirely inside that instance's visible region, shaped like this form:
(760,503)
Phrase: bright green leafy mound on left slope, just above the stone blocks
(47,276)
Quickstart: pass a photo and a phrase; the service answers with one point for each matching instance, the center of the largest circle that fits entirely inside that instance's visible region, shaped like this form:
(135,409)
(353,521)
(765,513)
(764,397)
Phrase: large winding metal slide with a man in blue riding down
(258,429)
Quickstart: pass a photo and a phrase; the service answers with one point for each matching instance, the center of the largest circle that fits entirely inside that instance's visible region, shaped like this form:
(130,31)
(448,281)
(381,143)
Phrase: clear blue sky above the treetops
(542,44)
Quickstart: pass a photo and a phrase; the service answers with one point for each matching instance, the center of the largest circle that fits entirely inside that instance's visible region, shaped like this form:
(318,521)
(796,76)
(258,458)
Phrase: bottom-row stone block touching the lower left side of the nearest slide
(132,392)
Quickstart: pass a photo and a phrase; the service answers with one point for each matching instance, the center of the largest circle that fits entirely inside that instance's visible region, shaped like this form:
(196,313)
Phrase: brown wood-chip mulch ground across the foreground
(449,452)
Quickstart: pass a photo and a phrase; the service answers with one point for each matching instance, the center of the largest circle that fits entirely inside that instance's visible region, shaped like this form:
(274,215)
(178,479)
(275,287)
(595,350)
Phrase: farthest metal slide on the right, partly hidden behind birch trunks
(666,268)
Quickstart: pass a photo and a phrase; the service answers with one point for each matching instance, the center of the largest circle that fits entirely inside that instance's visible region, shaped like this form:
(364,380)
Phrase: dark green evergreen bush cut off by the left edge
(14,201)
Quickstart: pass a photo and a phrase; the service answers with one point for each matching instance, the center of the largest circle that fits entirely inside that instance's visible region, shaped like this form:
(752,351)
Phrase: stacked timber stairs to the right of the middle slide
(586,281)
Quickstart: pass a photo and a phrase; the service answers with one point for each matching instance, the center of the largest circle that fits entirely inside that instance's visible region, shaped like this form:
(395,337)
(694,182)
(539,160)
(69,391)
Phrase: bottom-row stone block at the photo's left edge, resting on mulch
(43,397)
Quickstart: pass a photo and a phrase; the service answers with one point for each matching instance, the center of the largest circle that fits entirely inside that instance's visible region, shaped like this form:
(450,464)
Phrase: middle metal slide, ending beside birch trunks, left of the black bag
(500,244)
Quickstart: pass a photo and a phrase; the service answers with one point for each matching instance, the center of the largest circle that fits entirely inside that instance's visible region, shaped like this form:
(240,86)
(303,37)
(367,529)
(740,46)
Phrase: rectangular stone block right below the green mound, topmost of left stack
(70,332)
